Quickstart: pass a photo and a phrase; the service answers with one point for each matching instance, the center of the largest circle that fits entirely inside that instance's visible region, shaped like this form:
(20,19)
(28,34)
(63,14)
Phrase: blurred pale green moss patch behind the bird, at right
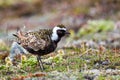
(96,26)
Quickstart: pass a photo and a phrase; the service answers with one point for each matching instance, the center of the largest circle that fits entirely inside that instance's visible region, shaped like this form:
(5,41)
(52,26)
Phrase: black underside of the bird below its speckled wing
(45,51)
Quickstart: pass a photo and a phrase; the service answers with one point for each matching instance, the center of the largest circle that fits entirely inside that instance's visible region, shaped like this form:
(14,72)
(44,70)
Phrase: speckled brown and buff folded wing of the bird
(36,40)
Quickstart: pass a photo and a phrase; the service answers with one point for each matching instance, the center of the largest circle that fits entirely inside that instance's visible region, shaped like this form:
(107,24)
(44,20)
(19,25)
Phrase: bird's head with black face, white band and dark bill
(58,32)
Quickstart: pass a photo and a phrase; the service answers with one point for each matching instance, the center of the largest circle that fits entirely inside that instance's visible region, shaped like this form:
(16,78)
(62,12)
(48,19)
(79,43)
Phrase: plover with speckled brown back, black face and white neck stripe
(41,42)
